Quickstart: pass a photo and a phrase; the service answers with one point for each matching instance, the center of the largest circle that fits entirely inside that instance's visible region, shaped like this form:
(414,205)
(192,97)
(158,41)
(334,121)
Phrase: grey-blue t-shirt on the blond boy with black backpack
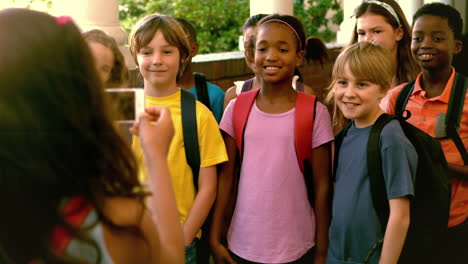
(355,226)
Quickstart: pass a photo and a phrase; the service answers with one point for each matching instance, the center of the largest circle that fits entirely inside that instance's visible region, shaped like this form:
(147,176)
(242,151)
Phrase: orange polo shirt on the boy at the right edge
(424,116)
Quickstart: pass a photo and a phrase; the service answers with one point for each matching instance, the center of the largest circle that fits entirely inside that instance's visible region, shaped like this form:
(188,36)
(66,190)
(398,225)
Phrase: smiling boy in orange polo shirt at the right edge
(436,38)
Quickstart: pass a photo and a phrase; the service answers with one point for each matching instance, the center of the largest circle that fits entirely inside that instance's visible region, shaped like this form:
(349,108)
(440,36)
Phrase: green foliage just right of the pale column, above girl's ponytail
(318,16)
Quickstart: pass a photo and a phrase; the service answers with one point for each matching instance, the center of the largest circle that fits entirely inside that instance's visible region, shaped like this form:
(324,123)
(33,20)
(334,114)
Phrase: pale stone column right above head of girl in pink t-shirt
(284,7)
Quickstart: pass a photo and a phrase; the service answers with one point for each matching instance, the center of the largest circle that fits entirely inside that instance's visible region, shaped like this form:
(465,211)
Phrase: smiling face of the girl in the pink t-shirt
(276,54)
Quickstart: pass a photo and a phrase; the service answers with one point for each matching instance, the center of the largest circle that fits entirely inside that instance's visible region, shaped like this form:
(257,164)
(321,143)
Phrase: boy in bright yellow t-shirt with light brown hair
(161,51)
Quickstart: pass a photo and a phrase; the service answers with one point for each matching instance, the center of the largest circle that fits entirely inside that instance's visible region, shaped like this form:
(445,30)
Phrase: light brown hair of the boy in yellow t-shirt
(147,27)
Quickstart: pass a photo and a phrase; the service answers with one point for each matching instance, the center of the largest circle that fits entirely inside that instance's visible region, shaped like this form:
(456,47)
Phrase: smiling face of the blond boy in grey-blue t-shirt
(357,99)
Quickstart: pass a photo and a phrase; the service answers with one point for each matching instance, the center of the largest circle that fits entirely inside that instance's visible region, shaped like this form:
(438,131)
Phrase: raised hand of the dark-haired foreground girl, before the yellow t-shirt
(155,129)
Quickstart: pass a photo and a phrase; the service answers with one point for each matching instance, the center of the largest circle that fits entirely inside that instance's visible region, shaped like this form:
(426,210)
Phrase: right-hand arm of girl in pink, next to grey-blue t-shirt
(321,173)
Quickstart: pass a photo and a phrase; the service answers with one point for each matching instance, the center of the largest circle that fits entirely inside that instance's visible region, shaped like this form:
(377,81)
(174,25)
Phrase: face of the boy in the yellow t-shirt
(159,62)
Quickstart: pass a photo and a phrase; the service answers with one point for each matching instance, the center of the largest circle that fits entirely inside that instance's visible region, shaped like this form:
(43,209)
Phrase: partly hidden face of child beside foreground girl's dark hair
(103,59)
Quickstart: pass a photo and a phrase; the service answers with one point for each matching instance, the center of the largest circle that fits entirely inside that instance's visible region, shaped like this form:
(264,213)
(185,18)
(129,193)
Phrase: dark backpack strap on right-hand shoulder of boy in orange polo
(454,113)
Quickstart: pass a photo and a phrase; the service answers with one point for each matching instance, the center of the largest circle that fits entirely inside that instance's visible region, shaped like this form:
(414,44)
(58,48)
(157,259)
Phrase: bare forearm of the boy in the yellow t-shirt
(202,204)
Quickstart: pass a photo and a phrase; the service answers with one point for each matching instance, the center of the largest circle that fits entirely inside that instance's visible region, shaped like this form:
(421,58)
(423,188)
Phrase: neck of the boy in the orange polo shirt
(434,81)
